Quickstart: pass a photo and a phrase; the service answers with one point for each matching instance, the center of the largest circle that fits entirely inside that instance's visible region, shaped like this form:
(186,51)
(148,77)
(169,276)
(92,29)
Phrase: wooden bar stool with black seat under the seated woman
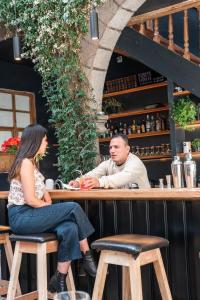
(40,244)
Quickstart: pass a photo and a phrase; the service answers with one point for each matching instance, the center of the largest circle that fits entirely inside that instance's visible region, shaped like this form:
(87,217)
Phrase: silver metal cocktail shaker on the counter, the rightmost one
(190,171)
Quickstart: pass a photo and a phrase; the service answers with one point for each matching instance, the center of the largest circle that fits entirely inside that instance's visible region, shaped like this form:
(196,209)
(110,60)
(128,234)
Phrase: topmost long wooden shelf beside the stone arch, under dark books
(137,89)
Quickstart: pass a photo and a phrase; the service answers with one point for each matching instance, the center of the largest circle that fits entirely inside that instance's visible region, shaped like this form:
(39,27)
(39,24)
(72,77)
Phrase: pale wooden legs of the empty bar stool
(131,273)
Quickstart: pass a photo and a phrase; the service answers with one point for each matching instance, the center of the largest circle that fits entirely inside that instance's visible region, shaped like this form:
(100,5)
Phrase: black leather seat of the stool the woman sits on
(34,237)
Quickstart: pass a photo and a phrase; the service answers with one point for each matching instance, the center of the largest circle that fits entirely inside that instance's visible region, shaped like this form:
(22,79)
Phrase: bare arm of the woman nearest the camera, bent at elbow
(28,184)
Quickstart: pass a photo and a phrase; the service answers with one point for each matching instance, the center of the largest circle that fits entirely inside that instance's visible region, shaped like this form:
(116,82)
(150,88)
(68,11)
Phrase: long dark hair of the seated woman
(30,143)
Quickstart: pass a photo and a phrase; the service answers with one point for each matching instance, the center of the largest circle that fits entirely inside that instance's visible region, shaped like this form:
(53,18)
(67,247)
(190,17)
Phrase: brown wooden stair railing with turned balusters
(148,25)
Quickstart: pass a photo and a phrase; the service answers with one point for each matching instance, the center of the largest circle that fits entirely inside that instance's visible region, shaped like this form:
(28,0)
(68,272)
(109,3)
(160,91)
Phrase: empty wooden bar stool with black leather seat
(131,251)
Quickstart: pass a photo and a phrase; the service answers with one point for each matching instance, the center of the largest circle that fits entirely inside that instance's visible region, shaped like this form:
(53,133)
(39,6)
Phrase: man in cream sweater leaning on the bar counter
(121,170)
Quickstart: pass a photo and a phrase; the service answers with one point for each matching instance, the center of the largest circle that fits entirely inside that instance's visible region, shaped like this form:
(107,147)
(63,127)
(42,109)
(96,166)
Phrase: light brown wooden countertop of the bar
(123,194)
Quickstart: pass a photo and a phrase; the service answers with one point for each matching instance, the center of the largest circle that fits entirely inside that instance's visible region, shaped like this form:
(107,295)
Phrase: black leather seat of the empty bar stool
(130,243)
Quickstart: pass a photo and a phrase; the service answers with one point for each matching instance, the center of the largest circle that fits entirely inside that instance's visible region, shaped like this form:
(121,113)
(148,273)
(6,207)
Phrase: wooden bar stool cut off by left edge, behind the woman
(4,240)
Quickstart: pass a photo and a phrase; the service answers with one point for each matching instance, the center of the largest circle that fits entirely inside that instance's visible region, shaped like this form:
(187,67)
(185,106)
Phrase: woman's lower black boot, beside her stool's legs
(57,283)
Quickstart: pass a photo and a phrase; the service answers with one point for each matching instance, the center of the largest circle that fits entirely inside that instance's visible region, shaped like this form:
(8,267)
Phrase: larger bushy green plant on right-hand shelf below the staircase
(184,112)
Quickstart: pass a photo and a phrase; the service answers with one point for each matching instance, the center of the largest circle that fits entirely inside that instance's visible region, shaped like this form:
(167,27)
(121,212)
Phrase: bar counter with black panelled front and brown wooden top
(173,214)
